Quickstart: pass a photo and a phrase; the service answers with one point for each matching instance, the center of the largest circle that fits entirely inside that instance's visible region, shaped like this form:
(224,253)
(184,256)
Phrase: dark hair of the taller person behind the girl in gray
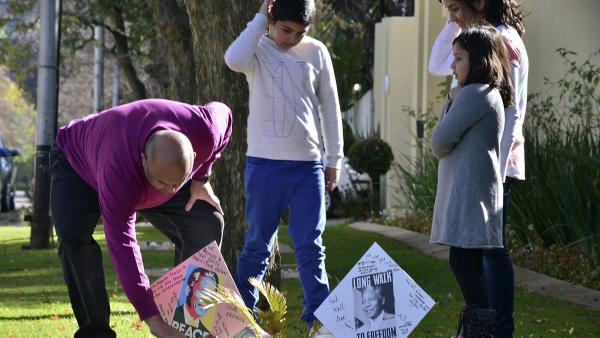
(501,12)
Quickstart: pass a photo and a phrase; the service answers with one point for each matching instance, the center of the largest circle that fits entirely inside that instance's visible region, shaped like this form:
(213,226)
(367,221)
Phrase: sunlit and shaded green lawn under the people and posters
(34,302)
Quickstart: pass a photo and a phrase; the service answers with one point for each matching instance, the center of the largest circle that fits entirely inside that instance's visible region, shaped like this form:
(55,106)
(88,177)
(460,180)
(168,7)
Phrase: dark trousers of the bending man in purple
(76,211)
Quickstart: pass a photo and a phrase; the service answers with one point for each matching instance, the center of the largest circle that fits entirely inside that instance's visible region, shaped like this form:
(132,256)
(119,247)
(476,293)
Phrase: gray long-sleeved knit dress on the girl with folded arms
(468,202)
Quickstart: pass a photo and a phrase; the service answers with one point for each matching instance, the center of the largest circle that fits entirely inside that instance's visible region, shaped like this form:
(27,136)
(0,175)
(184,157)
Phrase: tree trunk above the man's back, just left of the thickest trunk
(174,35)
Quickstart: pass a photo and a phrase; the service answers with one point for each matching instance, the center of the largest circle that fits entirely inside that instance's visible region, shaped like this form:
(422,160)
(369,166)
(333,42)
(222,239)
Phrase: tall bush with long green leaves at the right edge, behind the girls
(561,198)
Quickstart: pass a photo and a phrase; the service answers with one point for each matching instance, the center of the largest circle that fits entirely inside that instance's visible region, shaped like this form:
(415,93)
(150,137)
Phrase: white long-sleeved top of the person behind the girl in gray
(512,144)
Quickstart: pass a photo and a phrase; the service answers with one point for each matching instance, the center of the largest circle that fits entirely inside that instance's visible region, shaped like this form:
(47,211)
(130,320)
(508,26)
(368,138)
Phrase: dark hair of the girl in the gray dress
(488,60)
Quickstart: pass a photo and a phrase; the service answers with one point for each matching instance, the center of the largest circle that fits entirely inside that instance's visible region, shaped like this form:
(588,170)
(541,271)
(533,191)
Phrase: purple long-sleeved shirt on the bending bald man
(105,150)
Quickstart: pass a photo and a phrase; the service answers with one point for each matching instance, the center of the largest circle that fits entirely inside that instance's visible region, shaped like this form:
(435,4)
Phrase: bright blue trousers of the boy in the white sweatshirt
(270,187)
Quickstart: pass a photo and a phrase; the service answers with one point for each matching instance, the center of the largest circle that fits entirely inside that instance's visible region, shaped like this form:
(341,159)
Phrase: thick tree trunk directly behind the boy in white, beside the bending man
(214,25)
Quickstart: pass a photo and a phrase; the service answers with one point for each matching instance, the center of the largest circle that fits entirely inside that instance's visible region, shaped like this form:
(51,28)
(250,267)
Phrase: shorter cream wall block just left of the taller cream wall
(395,90)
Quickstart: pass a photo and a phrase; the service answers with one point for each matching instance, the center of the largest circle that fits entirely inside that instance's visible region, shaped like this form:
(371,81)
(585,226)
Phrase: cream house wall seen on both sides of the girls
(402,83)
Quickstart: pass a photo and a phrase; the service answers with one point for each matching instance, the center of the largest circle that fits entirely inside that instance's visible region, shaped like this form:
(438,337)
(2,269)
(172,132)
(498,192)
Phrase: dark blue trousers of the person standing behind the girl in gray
(500,277)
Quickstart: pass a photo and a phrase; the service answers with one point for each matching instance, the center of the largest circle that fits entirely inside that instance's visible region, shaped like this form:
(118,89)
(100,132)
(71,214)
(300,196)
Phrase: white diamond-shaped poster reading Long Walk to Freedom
(377,298)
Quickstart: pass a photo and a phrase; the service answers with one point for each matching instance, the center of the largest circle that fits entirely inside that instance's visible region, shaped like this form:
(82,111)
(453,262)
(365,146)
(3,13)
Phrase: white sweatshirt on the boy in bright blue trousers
(293,97)
